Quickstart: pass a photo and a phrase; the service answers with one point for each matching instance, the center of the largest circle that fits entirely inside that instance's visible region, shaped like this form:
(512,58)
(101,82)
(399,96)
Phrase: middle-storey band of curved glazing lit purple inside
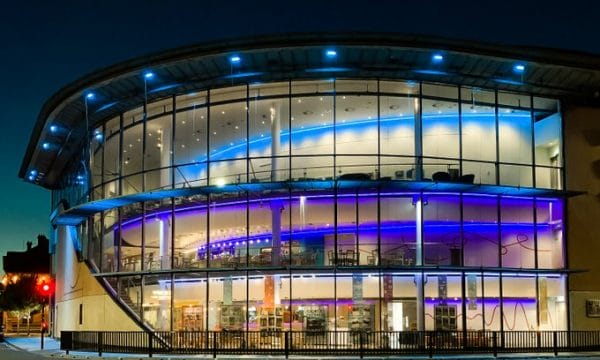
(363,228)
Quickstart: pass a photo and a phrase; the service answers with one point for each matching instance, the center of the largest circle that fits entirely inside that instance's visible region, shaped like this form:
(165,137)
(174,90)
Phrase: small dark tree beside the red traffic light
(21,297)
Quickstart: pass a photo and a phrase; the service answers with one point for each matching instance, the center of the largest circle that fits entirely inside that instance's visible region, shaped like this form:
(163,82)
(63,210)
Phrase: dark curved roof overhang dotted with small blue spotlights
(562,74)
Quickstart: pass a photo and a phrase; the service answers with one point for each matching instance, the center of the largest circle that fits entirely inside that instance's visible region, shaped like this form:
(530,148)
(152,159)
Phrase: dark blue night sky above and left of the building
(46,44)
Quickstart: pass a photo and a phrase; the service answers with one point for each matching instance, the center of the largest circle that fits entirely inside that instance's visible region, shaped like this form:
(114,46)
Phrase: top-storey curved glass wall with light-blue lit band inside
(331,129)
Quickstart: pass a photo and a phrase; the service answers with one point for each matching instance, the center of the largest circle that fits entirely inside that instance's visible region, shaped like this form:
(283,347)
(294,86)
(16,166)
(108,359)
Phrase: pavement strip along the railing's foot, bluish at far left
(52,349)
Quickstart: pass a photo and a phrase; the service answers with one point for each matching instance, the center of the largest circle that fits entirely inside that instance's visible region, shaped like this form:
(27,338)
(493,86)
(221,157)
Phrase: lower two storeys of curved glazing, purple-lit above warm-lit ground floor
(318,260)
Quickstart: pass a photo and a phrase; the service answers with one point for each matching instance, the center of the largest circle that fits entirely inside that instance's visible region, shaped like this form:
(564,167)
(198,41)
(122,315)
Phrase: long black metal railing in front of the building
(357,343)
